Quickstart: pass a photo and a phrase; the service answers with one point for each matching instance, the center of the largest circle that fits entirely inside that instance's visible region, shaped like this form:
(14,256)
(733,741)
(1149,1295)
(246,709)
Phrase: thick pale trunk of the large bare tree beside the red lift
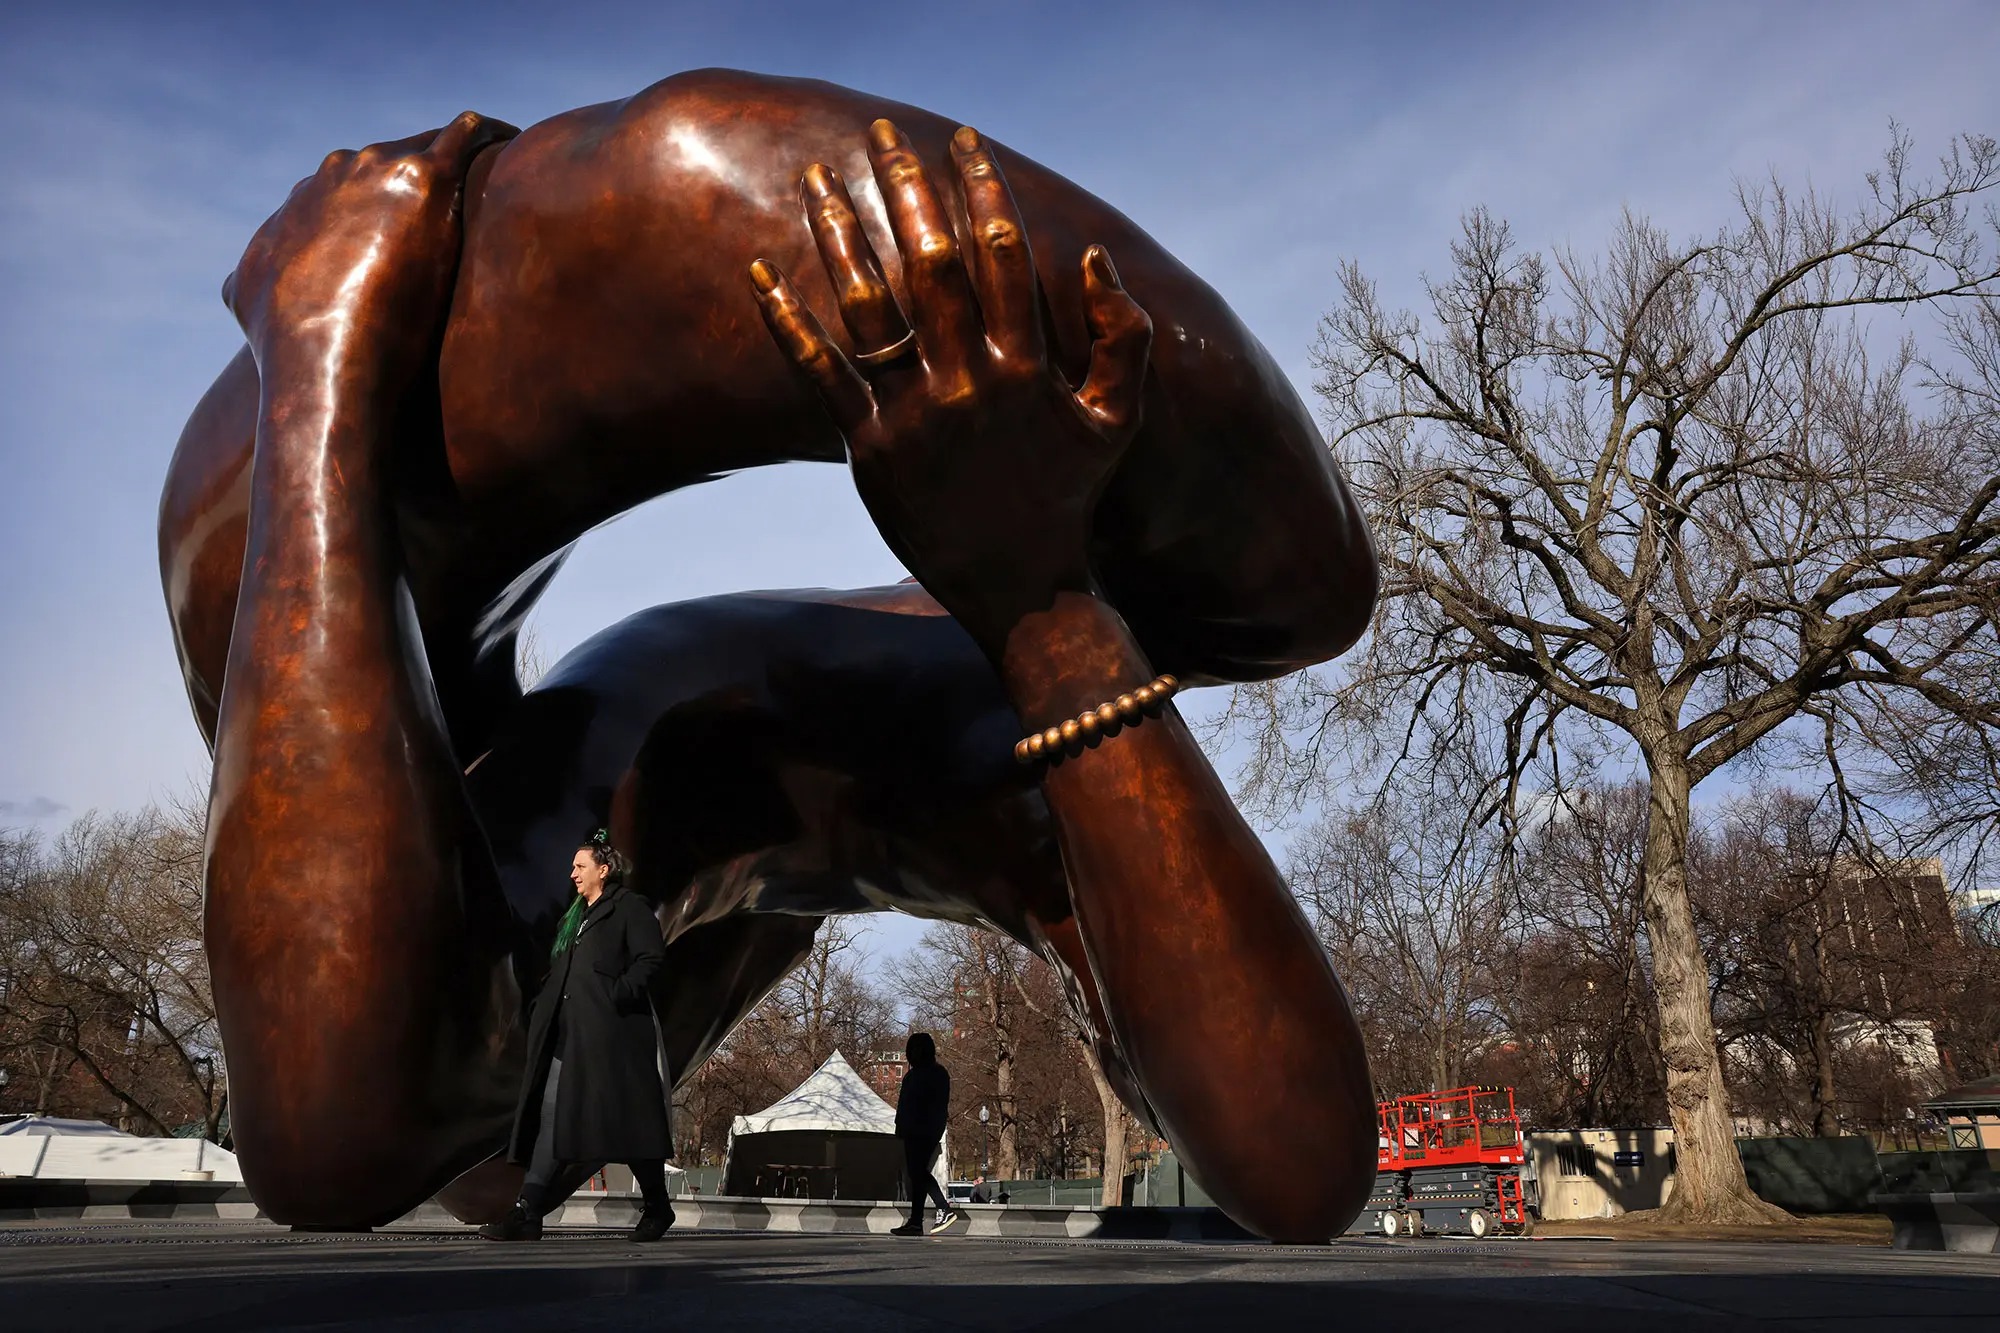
(1709,1176)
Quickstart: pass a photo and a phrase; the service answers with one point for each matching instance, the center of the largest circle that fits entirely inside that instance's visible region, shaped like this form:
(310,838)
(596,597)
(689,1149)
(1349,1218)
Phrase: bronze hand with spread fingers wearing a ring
(977,461)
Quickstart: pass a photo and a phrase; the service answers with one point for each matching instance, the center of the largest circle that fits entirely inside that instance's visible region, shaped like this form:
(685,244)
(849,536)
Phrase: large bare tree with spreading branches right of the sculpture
(1683,497)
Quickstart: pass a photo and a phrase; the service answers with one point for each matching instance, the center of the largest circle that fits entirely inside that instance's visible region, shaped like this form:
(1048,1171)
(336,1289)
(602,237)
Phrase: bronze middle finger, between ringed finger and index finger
(941,295)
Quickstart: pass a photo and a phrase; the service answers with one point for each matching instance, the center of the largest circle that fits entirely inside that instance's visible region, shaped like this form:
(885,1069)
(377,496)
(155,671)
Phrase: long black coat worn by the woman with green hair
(617,1094)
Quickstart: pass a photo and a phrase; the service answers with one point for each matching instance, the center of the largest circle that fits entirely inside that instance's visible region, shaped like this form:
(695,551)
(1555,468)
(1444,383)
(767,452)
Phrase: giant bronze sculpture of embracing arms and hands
(467,349)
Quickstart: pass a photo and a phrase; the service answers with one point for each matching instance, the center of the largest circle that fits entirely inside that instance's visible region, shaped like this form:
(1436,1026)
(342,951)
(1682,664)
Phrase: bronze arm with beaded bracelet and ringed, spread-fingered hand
(983,467)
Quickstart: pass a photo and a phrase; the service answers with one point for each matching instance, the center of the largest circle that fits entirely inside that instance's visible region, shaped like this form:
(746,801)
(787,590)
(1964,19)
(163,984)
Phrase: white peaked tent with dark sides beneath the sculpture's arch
(831,1138)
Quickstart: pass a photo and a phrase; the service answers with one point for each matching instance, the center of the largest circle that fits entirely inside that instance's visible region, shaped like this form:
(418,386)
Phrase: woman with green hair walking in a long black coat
(597,1084)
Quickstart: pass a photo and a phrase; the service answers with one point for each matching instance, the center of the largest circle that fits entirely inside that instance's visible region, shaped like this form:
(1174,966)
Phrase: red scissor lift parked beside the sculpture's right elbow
(1451,1164)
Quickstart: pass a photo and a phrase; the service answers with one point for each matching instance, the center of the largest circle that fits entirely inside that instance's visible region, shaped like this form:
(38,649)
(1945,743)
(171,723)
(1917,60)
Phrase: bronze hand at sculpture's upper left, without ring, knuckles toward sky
(359,261)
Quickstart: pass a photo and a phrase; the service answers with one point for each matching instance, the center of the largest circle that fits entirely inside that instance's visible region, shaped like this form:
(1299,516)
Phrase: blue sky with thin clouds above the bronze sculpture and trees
(1261,143)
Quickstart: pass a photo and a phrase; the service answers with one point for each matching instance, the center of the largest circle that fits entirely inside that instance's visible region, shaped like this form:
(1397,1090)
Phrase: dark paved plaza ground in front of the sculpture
(235,1276)
